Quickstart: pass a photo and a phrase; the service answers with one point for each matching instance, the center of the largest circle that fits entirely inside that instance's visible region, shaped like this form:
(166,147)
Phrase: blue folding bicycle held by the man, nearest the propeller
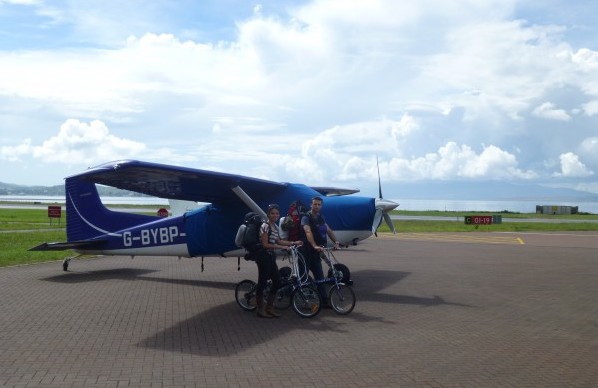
(341,297)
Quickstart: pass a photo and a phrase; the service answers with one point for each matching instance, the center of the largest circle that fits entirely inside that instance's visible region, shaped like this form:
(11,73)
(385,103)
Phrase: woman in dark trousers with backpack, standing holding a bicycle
(266,262)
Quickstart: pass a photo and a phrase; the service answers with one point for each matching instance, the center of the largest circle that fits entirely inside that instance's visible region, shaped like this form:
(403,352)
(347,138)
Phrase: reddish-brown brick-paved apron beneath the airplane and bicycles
(433,310)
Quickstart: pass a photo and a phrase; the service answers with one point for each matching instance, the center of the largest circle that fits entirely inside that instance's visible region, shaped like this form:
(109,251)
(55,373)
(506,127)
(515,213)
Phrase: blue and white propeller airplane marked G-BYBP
(204,231)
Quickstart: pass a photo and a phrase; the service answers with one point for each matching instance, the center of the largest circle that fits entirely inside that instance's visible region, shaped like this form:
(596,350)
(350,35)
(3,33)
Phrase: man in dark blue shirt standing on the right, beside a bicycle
(315,231)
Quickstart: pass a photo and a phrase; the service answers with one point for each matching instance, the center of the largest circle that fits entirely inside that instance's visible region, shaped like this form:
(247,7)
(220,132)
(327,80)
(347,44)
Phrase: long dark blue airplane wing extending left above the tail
(173,182)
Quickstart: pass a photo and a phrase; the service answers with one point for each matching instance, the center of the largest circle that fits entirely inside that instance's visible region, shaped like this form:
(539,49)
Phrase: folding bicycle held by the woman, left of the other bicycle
(296,290)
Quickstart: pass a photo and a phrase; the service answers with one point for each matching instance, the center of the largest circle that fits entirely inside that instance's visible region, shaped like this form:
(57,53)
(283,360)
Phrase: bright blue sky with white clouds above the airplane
(314,92)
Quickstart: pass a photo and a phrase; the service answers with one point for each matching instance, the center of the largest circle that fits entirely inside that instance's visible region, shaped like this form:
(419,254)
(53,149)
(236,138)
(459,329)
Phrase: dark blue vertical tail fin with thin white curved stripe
(88,218)
